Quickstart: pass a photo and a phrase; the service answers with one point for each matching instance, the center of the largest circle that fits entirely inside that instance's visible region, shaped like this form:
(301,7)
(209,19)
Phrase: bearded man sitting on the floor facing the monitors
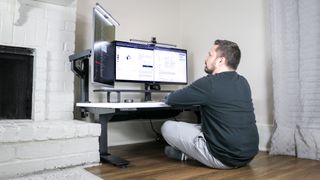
(227,136)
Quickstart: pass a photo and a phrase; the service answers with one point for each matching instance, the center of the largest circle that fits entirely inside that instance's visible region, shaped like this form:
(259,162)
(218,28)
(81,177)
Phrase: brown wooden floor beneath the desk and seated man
(147,161)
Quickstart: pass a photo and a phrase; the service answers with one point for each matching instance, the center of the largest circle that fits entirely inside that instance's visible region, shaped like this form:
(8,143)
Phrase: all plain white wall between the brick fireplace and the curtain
(193,25)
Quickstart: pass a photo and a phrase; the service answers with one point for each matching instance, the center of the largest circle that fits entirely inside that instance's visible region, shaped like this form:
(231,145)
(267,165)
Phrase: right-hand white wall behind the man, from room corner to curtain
(246,23)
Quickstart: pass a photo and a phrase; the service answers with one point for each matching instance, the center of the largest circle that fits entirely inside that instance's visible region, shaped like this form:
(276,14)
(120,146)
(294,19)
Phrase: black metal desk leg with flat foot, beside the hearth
(103,144)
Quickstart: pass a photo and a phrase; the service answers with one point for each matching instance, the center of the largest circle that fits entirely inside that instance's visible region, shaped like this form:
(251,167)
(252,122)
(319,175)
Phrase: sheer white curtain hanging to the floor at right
(295,29)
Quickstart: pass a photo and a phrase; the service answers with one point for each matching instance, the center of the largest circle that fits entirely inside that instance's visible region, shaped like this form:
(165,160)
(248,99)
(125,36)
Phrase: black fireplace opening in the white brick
(16,77)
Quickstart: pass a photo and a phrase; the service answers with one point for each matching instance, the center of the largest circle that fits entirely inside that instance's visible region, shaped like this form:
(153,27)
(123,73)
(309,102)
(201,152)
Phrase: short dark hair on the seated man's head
(230,51)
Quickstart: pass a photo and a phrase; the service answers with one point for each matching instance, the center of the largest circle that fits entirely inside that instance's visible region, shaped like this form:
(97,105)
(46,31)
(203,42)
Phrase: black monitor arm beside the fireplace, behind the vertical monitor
(80,66)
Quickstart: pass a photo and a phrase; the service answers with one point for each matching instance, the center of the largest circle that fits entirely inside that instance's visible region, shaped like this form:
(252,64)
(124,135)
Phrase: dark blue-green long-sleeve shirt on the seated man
(227,115)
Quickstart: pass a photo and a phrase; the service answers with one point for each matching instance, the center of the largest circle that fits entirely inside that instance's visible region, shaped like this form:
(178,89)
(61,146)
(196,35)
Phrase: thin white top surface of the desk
(124,105)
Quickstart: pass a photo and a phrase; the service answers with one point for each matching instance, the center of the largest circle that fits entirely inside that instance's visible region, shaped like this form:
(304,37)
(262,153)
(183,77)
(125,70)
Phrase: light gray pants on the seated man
(189,139)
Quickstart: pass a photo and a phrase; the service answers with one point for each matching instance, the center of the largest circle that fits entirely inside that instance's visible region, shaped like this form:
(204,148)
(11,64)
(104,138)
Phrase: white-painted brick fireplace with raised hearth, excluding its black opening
(51,138)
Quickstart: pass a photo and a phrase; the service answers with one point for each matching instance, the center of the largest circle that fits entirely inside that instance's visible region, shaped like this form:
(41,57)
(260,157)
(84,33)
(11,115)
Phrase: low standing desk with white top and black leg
(107,111)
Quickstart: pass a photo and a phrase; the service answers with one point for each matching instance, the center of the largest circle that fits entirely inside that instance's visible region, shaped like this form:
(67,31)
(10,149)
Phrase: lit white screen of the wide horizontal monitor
(145,63)
